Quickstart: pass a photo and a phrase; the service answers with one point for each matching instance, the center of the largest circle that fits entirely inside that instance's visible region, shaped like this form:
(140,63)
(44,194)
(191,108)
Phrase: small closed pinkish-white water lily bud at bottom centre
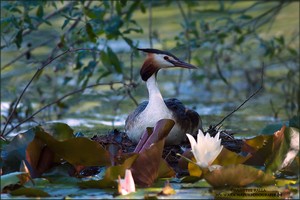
(126,185)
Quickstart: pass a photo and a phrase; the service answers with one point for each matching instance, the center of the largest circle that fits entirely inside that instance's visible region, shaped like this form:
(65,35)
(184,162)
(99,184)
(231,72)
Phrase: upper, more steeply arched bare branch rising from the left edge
(39,70)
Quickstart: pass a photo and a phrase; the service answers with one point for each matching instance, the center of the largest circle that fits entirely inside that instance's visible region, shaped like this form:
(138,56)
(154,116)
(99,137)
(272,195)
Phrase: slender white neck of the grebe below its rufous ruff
(155,97)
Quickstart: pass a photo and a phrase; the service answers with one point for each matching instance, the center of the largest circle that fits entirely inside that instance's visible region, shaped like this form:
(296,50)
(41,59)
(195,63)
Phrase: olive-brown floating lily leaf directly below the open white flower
(237,176)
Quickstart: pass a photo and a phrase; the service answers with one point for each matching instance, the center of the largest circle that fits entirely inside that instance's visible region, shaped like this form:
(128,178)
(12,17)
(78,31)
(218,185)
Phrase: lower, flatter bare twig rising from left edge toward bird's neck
(58,100)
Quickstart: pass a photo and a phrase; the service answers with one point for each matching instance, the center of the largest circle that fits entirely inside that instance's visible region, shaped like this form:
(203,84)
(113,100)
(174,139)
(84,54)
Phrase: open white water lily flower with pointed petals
(206,149)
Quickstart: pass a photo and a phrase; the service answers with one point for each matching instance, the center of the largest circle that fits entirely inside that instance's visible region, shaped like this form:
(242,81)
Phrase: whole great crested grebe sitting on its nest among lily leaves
(149,112)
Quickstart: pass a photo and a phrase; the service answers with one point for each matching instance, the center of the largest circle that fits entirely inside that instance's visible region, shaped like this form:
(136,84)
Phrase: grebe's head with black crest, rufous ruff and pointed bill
(157,59)
